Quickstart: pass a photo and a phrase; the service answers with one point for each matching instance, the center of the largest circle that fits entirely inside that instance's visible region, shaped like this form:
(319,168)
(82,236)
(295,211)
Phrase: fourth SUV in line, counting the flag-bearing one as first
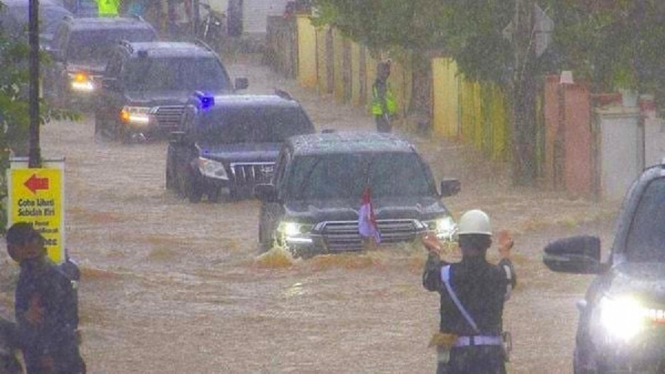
(80,50)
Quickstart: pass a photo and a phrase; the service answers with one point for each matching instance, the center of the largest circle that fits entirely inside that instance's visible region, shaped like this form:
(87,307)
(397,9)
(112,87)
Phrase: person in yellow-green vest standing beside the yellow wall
(384,106)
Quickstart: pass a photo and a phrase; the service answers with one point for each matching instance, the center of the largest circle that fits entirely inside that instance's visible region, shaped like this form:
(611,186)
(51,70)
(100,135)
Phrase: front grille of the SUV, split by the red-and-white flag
(344,236)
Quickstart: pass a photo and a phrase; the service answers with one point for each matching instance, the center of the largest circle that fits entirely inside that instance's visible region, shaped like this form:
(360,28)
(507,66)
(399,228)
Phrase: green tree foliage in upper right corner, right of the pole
(619,45)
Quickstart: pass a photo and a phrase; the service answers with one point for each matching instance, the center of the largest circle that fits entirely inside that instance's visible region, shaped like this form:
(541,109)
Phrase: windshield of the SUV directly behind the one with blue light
(181,73)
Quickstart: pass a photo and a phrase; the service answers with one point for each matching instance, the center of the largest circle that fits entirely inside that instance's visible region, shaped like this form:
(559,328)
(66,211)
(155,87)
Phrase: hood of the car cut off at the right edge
(645,281)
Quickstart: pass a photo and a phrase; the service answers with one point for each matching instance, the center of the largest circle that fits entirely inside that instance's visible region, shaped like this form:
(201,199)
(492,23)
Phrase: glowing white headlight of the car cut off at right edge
(622,318)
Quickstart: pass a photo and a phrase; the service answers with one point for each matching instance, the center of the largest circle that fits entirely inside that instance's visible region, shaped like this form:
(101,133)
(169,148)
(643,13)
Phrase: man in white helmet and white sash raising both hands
(472,300)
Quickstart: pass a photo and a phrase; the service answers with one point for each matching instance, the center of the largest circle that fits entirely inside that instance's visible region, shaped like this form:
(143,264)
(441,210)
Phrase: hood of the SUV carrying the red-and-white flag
(313,211)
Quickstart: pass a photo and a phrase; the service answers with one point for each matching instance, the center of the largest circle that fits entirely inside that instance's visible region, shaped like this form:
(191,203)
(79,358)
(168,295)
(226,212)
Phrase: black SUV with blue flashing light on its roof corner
(231,142)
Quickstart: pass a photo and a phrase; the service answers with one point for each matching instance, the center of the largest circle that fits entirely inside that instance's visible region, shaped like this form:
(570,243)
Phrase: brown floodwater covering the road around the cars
(174,287)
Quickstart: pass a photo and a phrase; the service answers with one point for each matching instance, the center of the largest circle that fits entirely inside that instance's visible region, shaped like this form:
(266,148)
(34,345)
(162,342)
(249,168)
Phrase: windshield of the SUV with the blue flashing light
(254,125)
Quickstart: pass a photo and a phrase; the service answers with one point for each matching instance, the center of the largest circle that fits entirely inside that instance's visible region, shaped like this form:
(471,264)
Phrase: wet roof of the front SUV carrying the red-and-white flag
(349,142)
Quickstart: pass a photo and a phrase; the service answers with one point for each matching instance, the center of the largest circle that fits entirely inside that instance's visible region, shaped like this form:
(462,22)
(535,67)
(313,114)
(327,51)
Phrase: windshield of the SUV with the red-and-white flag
(344,176)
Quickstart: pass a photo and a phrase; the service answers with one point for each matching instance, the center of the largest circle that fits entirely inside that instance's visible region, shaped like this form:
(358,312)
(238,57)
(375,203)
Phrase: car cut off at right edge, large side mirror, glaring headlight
(622,318)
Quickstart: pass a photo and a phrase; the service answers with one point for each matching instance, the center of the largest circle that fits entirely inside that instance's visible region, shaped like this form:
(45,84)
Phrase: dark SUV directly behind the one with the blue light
(146,86)
